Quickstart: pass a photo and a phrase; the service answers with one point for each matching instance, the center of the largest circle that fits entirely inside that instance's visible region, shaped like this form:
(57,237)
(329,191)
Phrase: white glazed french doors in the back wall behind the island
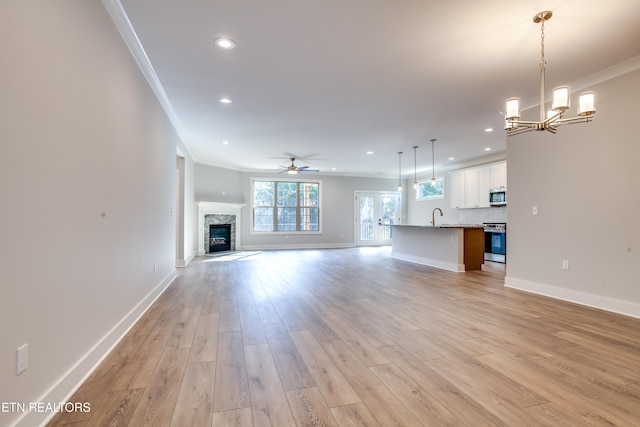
(375,214)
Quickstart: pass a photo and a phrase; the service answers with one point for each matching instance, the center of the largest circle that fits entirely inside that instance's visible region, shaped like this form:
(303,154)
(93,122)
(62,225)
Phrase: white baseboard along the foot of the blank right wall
(590,300)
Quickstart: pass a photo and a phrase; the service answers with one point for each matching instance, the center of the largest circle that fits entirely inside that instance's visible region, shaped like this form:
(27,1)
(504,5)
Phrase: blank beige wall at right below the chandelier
(584,182)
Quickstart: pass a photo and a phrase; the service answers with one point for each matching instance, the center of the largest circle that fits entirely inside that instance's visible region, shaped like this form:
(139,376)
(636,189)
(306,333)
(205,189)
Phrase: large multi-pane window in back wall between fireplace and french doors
(285,206)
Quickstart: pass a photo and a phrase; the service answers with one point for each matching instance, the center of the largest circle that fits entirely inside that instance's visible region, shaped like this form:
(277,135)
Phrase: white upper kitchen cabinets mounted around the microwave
(470,187)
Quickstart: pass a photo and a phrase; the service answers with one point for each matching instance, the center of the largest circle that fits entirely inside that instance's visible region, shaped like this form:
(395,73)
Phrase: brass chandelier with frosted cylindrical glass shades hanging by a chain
(554,117)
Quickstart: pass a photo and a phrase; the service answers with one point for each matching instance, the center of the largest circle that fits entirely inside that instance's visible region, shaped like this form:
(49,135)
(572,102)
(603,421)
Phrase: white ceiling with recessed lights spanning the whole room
(329,80)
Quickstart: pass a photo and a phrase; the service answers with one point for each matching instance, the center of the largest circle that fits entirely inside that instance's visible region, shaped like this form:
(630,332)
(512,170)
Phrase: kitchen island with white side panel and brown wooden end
(453,247)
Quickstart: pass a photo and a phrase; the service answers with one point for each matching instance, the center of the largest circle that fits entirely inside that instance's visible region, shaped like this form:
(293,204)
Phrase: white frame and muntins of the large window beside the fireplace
(298,207)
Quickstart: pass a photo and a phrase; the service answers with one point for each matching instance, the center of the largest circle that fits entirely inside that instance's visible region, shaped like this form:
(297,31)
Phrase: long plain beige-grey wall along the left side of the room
(87,183)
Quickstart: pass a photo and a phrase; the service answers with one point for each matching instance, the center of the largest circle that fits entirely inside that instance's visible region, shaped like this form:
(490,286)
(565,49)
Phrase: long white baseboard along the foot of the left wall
(71,380)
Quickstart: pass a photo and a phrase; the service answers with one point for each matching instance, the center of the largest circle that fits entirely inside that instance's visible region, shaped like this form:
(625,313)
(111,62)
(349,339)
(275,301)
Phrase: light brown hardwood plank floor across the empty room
(352,337)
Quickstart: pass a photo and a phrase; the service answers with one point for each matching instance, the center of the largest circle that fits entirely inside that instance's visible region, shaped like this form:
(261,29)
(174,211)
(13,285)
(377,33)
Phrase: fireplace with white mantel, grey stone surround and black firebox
(214,217)
